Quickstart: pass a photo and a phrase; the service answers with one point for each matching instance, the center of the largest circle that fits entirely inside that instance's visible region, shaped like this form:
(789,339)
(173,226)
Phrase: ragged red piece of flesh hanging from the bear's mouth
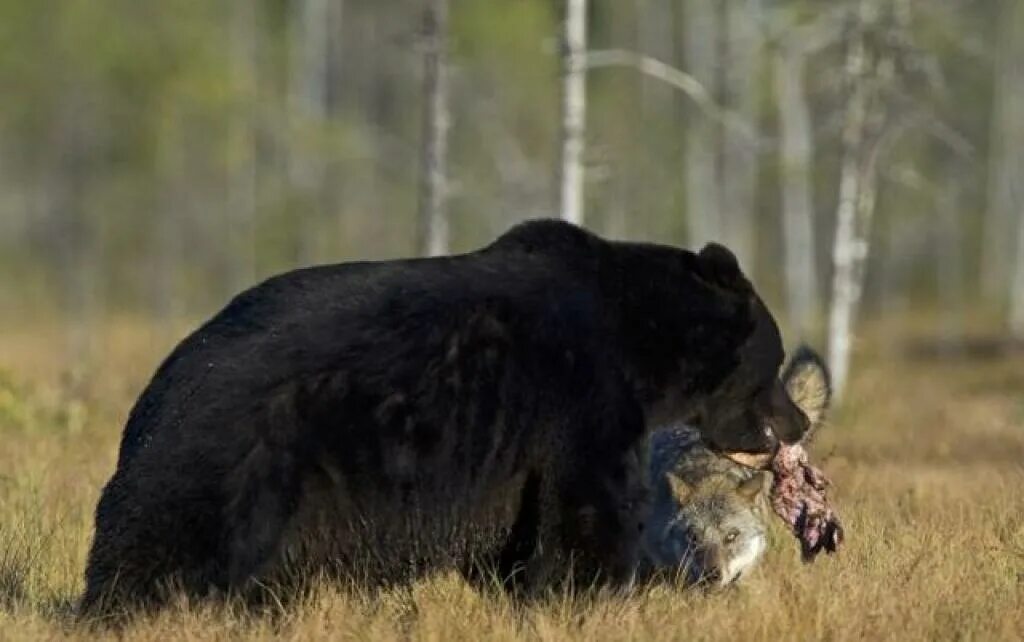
(799,497)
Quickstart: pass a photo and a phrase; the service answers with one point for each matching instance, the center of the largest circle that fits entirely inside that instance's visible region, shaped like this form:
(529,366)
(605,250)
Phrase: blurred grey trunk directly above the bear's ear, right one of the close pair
(740,154)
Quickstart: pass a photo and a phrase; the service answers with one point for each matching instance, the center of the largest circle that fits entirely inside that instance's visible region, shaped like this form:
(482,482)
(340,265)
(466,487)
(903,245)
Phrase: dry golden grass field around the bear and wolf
(928,460)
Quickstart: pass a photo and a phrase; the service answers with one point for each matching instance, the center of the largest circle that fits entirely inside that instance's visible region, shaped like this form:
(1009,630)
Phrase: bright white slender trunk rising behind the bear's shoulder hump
(574,111)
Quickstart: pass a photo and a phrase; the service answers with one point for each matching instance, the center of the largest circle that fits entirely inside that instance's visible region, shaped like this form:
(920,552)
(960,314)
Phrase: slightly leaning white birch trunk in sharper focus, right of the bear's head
(856,201)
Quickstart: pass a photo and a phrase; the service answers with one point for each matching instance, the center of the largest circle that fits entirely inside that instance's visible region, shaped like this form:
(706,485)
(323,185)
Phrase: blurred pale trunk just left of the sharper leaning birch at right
(797,149)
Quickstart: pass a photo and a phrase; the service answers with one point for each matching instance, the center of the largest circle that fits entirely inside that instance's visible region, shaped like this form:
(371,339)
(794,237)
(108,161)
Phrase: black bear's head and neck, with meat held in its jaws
(705,350)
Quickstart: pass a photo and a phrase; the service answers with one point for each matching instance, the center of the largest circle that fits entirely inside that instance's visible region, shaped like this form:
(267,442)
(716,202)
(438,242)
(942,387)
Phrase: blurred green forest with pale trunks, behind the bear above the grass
(158,157)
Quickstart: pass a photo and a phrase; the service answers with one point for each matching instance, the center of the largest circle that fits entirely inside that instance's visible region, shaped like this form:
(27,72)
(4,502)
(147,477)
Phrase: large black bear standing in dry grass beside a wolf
(383,420)
